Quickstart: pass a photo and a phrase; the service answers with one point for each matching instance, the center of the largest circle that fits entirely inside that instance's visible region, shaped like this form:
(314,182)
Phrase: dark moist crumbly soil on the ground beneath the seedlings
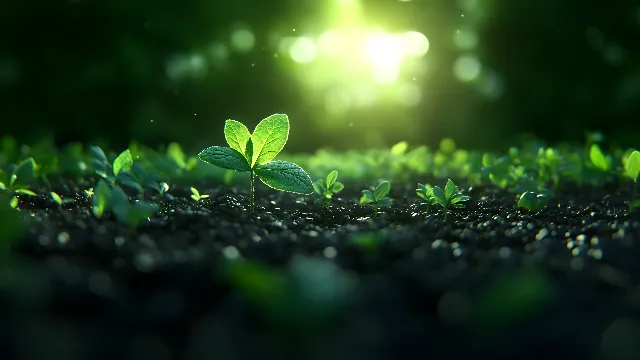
(490,282)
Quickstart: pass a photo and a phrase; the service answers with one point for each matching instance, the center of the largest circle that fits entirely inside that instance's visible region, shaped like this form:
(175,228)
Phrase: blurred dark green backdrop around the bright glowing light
(88,70)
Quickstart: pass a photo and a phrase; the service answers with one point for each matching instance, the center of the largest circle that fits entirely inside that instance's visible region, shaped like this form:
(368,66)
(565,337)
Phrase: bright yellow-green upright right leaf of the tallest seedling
(269,138)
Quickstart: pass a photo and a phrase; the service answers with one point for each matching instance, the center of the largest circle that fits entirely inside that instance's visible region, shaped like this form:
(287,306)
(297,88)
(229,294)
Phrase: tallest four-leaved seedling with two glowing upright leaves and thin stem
(254,153)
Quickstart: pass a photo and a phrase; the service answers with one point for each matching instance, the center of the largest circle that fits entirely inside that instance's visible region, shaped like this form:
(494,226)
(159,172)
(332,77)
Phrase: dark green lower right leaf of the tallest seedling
(285,176)
